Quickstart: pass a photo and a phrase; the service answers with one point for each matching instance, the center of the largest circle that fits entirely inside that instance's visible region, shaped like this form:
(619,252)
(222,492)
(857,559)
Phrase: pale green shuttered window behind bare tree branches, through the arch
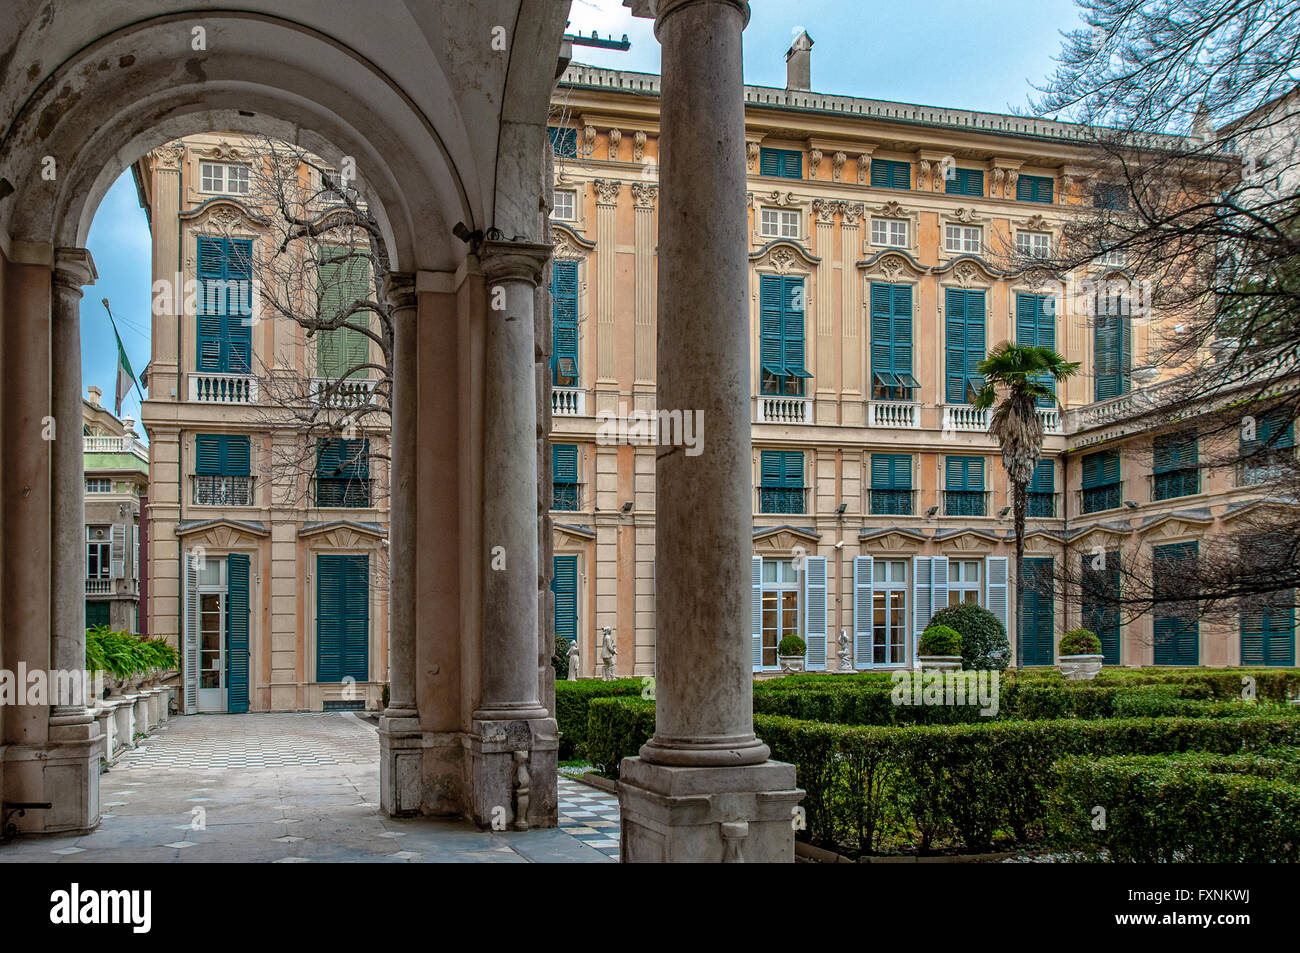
(343,289)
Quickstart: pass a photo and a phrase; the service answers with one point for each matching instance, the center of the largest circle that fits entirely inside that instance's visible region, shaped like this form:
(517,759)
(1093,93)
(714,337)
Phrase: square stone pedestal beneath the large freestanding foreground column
(708,815)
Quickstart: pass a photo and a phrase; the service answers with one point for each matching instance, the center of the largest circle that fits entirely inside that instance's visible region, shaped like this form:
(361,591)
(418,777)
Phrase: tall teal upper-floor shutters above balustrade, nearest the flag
(226,306)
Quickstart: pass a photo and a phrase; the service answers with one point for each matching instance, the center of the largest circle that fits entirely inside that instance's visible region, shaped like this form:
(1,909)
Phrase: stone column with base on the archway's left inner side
(72,763)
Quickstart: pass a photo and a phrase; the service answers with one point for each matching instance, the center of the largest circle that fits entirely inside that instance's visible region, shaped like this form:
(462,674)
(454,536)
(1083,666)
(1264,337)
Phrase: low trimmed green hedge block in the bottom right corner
(1198,808)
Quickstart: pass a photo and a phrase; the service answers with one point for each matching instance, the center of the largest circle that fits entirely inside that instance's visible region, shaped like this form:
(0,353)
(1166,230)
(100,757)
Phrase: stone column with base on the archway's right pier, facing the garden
(510,716)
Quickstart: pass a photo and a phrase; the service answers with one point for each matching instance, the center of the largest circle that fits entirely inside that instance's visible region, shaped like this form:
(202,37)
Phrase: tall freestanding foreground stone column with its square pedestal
(703,789)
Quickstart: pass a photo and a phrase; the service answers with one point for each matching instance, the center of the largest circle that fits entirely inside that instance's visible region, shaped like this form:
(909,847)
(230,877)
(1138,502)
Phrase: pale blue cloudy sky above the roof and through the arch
(960,54)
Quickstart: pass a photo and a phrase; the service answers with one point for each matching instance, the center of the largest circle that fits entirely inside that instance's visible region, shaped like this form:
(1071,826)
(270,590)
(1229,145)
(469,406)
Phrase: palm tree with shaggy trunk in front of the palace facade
(1026,376)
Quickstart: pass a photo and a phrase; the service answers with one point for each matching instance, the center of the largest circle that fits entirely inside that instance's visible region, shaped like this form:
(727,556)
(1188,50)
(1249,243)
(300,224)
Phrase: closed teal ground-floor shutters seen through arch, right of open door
(343,618)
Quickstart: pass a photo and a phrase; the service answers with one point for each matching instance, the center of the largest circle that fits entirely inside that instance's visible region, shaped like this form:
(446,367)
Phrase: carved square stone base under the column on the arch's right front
(499,798)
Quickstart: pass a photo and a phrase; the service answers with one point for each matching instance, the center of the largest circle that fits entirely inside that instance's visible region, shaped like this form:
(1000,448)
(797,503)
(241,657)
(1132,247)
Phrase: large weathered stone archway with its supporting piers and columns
(444,133)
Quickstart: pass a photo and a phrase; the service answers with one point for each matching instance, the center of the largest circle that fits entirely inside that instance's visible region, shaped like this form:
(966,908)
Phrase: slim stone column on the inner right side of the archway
(400,727)
